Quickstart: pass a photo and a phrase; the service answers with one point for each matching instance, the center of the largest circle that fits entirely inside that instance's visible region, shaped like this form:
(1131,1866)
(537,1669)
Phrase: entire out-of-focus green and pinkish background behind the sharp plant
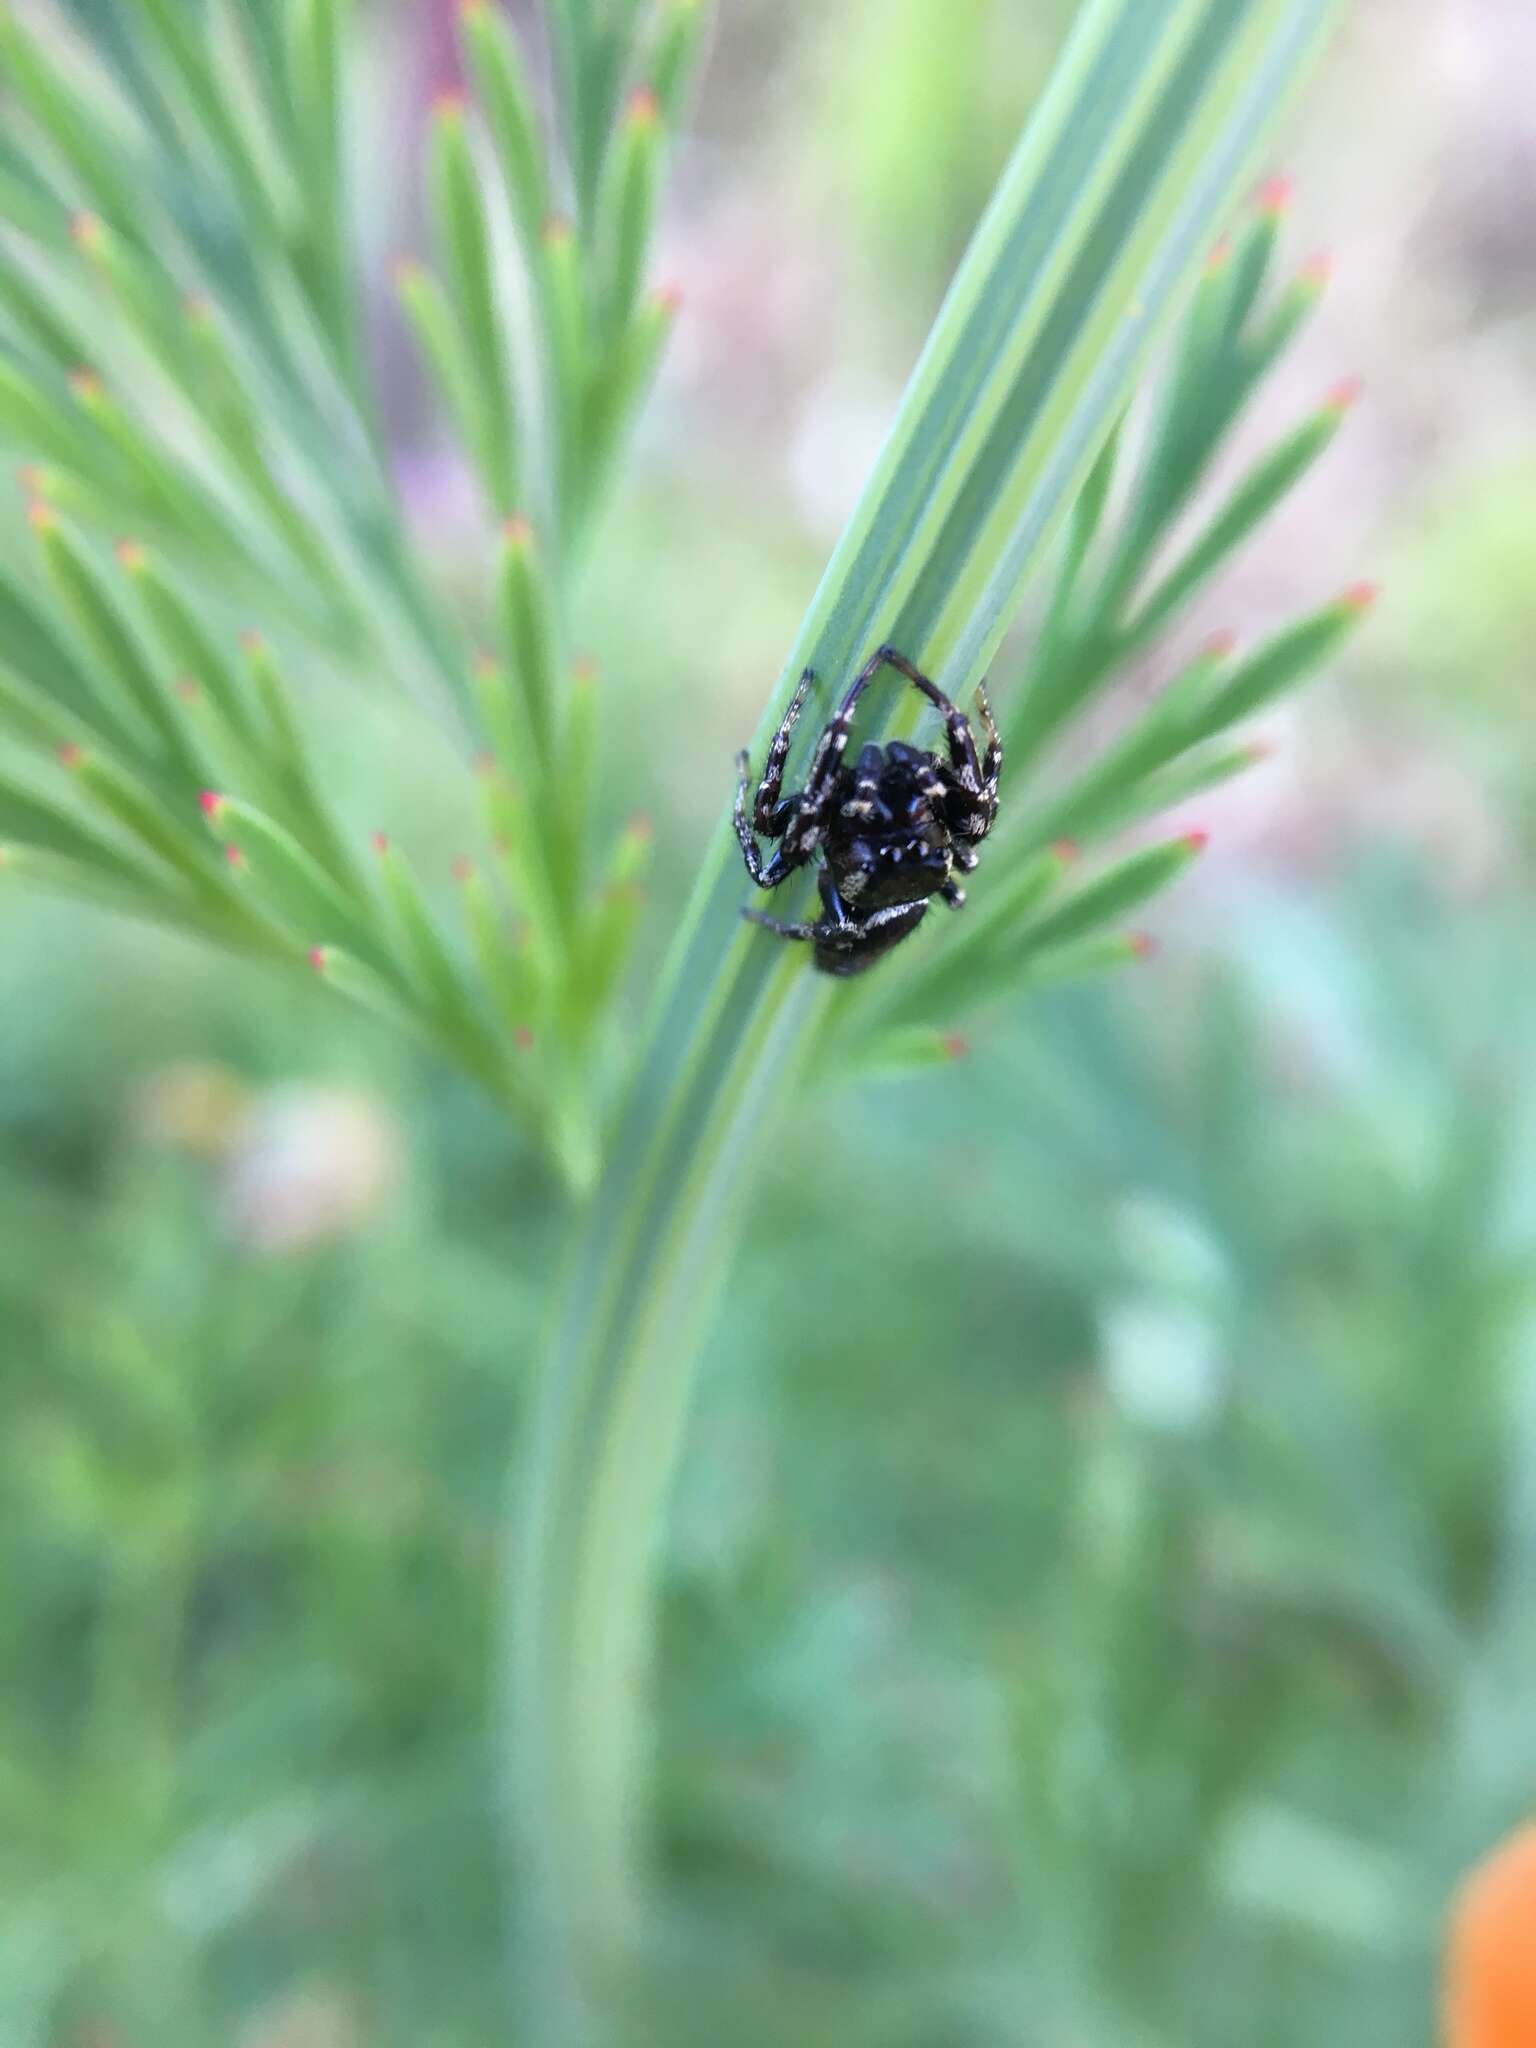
(1107,1623)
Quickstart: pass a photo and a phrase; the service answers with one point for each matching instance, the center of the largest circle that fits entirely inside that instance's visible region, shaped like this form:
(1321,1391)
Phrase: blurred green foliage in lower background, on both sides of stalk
(1117,1627)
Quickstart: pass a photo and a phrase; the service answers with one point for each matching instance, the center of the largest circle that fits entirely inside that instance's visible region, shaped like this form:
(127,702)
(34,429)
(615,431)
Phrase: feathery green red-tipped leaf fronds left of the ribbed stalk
(194,374)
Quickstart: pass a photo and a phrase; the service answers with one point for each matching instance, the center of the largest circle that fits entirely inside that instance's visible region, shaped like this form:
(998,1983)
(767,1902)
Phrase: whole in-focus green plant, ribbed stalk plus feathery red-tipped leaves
(185,364)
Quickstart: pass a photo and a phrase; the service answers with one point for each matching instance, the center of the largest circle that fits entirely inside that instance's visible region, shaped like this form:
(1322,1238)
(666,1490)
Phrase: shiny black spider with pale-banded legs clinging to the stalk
(890,830)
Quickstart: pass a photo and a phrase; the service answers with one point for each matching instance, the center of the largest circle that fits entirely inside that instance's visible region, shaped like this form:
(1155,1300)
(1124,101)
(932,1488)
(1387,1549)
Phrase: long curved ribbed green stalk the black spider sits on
(1105,212)
